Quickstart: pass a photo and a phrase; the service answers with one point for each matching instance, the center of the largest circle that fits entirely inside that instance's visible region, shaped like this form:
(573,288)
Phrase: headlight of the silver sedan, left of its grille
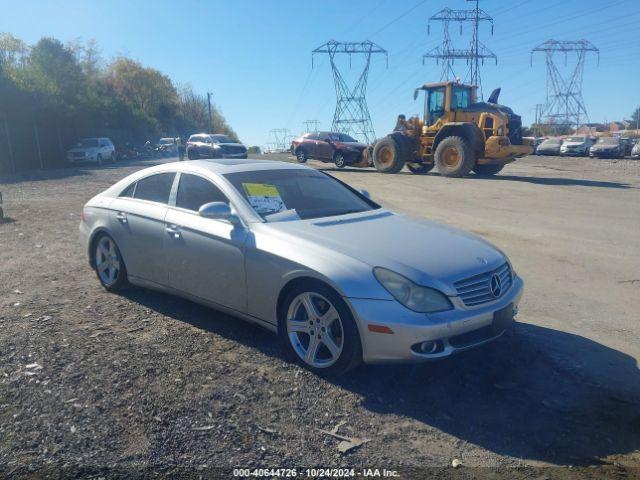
(414,297)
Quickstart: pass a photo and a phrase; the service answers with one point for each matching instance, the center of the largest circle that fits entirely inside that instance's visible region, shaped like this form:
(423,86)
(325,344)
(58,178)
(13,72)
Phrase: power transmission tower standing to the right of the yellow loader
(565,106)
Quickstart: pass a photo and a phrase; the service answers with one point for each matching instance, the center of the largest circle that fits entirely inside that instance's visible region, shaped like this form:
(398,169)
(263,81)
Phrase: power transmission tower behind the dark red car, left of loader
(352,114)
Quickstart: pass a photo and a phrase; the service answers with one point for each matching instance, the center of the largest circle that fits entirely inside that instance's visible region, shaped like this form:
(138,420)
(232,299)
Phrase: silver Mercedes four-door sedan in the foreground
(339,278)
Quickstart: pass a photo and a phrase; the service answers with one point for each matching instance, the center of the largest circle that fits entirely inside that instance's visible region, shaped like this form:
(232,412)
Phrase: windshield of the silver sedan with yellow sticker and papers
(297,194)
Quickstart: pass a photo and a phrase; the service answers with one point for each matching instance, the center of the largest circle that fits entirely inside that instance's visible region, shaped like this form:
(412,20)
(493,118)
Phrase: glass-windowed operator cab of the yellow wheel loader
(441,99)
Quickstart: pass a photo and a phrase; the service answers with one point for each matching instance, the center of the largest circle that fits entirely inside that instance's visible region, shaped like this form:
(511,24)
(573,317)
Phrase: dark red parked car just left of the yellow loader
(339,148)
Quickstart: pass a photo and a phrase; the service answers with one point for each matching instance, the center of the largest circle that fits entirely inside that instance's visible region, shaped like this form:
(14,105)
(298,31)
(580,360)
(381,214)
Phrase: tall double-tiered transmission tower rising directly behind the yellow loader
(447,53)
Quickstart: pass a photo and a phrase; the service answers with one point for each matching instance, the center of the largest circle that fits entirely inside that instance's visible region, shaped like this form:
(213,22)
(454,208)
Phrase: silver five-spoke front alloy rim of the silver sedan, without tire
(315,330)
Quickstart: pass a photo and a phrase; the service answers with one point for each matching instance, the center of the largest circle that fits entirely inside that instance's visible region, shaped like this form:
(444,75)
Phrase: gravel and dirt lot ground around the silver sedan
(101,384)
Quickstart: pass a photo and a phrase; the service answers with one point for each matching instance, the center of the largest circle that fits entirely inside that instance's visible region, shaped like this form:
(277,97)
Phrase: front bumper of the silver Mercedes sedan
(458,329)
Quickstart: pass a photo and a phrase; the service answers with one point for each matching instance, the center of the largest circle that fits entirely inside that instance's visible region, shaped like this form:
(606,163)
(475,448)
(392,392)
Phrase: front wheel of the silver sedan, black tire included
(295,326)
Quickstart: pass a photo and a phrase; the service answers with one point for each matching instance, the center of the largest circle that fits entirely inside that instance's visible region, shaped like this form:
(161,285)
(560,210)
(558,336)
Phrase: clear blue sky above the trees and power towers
(254,56)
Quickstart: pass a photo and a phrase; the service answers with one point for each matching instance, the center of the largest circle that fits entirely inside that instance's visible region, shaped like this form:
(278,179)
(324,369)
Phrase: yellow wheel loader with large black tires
(457,134)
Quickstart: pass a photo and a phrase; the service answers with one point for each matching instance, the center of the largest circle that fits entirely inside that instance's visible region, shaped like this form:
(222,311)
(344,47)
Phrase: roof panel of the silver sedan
(227,165)
